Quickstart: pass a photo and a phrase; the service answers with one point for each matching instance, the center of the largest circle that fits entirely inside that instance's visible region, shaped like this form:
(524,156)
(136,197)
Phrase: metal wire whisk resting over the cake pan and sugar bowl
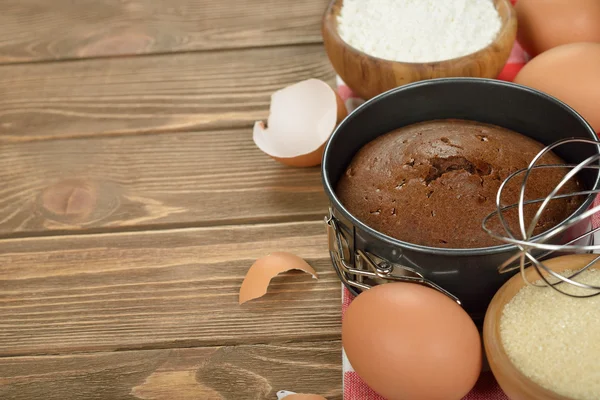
(533,249)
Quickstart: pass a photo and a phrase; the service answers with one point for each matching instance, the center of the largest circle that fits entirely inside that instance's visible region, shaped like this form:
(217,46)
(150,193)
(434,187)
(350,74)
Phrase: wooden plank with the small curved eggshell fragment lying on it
(161,289)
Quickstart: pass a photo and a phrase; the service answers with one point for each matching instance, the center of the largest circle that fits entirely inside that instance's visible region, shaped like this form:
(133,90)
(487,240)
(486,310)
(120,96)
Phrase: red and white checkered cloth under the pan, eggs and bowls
(486,388)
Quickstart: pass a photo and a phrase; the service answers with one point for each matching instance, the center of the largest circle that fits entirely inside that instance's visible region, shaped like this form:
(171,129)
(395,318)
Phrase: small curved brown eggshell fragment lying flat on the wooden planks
(264,269)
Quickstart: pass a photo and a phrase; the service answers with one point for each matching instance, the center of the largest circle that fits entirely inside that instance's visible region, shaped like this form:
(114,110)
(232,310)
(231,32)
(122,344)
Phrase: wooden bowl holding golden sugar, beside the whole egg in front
(516,385)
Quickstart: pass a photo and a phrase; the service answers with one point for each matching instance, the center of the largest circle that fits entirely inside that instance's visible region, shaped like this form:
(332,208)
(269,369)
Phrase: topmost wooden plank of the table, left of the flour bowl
(34,30)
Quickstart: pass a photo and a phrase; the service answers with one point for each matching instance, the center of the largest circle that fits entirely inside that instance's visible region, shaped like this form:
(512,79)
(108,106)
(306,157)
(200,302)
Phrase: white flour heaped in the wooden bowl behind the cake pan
(418,30)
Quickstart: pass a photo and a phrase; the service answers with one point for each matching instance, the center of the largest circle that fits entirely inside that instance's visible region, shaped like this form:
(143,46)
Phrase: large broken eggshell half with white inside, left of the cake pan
(302,118)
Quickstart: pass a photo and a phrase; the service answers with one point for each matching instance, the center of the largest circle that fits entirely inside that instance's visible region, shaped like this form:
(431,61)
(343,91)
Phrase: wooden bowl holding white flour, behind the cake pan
(369,76)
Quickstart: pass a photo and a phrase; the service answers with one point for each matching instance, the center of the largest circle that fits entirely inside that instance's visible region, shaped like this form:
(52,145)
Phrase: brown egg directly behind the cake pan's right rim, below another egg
(570,73)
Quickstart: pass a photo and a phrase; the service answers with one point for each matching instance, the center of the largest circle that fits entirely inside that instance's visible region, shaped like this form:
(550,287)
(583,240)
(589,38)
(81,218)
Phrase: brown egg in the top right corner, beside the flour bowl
(544,24)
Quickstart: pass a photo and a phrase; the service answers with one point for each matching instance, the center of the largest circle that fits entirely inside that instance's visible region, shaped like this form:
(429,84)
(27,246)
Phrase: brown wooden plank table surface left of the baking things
(133,200)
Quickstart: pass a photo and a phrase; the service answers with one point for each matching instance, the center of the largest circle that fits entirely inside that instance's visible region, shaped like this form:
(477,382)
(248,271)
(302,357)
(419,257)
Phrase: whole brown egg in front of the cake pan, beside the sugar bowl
(407,341)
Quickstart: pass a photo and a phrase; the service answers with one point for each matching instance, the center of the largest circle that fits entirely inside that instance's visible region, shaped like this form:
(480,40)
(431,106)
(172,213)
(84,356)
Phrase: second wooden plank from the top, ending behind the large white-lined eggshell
(178,92)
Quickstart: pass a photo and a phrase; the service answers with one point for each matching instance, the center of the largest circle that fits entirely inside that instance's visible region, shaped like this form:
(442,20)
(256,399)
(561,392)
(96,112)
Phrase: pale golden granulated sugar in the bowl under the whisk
(554,339)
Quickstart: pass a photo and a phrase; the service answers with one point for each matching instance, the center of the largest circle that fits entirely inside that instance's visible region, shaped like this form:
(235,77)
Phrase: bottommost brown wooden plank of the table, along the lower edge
(242,372)
